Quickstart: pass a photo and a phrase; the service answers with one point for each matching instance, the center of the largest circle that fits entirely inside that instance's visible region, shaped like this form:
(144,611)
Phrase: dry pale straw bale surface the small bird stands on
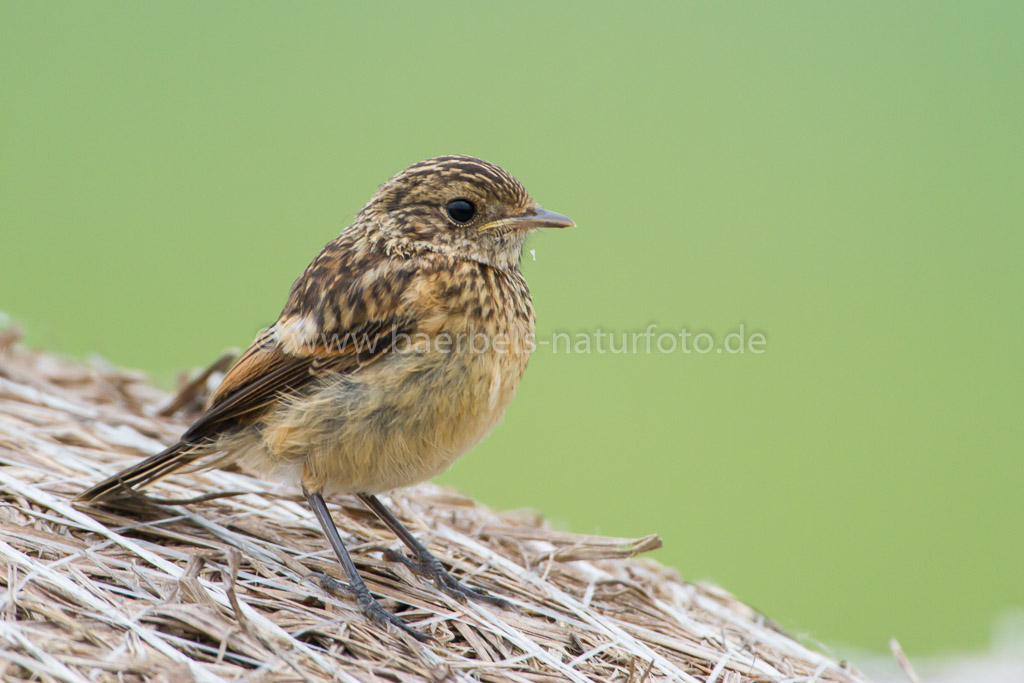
(220,590)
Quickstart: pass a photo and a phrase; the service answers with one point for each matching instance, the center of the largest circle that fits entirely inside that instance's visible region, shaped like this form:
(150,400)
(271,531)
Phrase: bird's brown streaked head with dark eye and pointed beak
(458,206)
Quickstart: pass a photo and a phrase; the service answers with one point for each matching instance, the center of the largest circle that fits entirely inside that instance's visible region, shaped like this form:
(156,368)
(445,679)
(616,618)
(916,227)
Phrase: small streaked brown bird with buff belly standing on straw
(398,351)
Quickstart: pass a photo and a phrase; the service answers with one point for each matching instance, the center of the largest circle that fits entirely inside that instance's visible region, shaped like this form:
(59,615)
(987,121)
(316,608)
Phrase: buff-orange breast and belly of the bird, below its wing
(409,415)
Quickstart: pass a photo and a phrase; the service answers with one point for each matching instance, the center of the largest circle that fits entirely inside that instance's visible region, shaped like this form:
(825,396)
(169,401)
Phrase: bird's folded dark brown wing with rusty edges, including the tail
(344,313)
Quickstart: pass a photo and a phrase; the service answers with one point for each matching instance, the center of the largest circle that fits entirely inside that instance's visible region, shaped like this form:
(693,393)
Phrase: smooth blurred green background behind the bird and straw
(846,178)
